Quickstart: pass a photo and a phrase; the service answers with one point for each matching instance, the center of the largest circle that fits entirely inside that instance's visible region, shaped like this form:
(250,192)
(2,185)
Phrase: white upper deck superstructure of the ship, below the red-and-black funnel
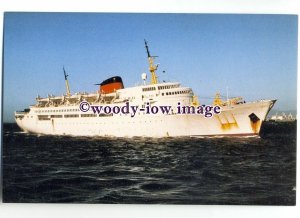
(136,94)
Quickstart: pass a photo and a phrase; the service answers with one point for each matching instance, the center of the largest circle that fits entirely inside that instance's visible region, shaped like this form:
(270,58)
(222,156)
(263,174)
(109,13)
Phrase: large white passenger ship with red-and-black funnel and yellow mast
(81,114)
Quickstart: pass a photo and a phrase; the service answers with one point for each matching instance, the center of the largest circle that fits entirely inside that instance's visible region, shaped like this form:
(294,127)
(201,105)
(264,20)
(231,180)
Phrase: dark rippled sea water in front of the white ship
(211,170)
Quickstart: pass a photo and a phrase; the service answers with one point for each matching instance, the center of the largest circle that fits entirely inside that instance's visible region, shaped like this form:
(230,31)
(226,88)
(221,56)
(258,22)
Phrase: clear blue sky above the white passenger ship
(254,55)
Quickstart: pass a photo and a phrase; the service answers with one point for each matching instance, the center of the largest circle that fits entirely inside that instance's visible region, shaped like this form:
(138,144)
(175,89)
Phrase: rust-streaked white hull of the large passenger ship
(233,120)
